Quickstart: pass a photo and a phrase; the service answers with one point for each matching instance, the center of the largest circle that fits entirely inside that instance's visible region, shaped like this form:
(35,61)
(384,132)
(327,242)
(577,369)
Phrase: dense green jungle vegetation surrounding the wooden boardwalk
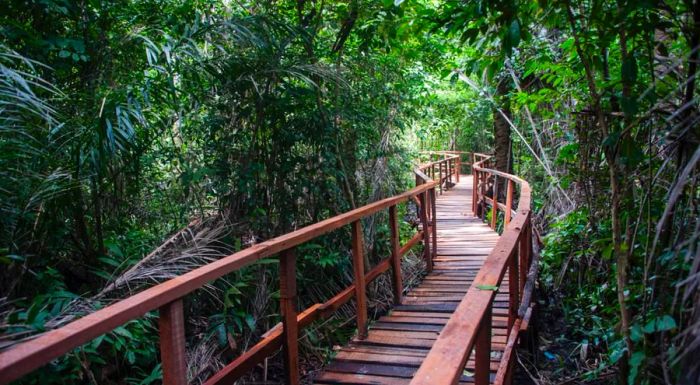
(142,139)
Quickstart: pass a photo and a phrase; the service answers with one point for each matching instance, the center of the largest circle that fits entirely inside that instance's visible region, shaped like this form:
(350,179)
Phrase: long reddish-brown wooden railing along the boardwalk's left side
(167,297)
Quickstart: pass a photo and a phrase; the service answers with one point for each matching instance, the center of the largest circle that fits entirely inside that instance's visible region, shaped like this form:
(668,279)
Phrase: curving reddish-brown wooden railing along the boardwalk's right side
(469,327)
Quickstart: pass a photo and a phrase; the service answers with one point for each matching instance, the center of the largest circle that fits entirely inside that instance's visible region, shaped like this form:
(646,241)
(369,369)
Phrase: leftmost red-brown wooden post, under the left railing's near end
(171,325)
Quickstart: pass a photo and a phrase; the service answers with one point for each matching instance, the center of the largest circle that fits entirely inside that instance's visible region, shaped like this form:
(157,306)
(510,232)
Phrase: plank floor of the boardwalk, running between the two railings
(397,344)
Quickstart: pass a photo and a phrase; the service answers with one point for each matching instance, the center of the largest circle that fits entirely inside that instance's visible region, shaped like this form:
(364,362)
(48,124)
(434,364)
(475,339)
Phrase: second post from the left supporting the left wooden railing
(288,307)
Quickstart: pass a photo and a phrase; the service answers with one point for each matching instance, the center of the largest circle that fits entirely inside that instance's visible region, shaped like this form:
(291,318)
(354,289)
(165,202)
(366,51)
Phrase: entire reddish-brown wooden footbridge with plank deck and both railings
(460,325)
